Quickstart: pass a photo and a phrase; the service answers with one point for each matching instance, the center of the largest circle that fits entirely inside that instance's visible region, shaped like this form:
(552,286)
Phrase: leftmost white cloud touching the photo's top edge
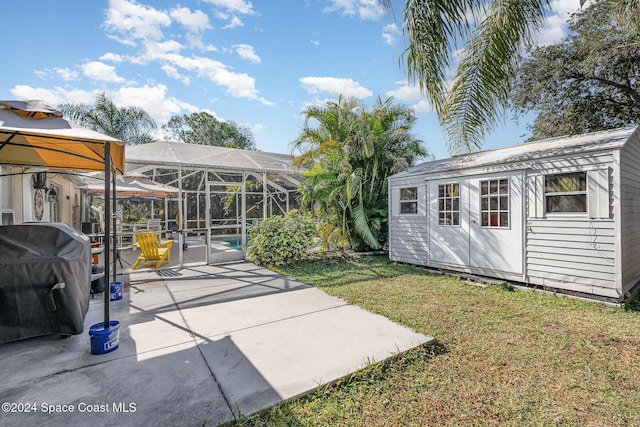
(130,18)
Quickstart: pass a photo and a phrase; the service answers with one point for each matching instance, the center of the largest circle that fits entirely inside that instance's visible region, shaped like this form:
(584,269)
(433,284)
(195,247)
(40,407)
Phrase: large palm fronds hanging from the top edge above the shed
(492,35)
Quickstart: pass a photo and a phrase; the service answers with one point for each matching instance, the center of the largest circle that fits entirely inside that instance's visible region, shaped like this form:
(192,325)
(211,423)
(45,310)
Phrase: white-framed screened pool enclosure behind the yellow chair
(222,193)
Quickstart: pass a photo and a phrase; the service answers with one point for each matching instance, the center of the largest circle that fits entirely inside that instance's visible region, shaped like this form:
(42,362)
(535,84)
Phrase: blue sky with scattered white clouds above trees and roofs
(257,63)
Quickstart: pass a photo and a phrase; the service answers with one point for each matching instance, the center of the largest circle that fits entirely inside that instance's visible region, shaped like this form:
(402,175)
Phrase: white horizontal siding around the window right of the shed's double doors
(574,251)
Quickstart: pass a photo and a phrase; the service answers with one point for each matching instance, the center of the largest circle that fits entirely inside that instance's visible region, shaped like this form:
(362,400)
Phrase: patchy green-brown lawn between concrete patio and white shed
(502,359)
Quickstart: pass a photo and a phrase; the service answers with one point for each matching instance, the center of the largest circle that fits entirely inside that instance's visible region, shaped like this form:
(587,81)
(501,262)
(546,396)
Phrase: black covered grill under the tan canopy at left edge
(45,280)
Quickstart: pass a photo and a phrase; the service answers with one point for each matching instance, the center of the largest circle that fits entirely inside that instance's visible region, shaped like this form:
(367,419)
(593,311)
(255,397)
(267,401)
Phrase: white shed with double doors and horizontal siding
(561,213)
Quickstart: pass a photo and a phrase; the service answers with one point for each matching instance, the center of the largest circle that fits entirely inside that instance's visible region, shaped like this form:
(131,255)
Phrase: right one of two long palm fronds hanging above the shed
(481,90)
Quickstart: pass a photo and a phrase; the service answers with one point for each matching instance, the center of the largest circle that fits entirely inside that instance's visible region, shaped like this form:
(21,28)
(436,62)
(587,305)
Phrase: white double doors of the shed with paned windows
(477,222)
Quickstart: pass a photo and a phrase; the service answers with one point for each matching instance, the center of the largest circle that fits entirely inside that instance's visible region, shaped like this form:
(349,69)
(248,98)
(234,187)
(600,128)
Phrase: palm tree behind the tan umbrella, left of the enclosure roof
(130,124)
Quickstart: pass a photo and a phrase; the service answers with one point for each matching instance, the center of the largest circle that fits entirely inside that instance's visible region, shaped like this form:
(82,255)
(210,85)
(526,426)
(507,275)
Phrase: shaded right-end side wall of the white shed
(629,216)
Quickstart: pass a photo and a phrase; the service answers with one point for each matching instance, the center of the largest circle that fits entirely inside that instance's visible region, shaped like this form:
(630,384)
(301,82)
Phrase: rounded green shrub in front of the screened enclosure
(280,240)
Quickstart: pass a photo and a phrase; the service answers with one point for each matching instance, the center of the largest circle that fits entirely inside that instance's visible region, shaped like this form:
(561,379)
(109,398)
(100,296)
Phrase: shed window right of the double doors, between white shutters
(566,193)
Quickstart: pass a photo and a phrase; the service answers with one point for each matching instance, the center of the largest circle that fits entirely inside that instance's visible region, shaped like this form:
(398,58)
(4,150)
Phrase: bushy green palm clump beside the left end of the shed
(348,152)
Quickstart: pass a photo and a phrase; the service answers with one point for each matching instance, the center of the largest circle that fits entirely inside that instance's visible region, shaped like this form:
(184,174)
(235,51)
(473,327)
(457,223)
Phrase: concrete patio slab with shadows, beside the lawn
(197,345)
